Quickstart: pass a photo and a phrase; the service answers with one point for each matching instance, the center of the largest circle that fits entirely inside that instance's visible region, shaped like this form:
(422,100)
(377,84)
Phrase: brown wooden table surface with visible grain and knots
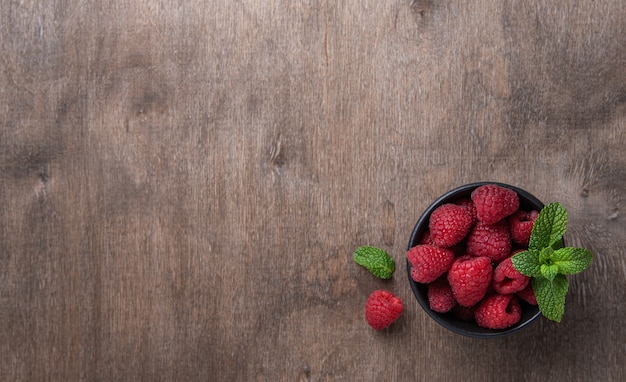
(183,183)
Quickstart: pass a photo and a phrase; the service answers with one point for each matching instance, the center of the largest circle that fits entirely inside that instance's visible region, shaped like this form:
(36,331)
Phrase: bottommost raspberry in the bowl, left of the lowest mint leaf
(498,311)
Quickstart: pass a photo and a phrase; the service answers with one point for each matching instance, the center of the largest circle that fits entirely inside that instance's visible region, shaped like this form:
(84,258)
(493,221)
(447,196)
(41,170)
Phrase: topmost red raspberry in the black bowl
(494,203)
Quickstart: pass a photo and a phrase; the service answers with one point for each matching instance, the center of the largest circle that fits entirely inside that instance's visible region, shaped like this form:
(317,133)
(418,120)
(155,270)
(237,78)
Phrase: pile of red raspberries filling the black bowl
(465,257)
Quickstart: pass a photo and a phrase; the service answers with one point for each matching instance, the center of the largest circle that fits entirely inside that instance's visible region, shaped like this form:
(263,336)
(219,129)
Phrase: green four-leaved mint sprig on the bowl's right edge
(548,262)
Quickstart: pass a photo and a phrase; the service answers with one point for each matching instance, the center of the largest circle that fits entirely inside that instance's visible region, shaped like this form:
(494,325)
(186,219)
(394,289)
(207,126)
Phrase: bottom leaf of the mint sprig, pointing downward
(551,296)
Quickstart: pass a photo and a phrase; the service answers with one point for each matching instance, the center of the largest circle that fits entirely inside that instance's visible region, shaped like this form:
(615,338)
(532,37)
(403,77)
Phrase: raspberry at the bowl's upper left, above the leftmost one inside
(449,224)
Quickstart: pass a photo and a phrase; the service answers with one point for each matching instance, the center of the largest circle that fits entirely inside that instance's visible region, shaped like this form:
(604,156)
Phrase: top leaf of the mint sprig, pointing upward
(549,227)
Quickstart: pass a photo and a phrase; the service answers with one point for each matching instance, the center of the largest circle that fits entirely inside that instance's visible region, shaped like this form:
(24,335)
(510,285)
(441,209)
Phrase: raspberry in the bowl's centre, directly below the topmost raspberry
(491,240)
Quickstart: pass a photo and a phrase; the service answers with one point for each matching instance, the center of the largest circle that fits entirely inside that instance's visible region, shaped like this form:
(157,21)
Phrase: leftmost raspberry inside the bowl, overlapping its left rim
(429,262)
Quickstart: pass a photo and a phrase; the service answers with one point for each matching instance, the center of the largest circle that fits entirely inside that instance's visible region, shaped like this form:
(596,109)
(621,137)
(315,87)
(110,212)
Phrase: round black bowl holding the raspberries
(530,313)
